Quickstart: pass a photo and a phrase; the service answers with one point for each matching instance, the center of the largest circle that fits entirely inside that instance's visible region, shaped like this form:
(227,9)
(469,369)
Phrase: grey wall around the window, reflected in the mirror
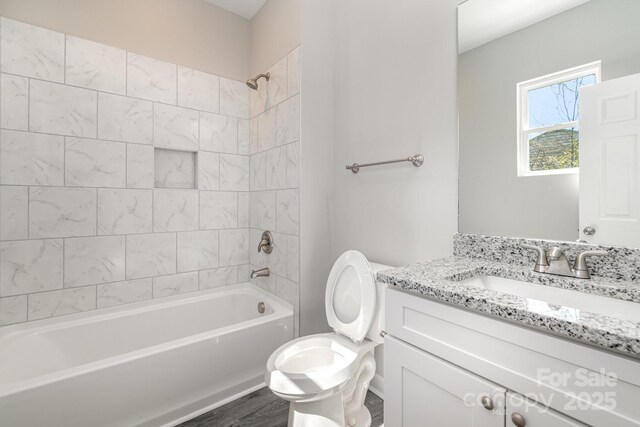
(493,200)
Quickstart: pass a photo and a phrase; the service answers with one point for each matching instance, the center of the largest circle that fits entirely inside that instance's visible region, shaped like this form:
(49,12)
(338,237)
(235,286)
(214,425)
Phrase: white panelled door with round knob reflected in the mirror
(610,162)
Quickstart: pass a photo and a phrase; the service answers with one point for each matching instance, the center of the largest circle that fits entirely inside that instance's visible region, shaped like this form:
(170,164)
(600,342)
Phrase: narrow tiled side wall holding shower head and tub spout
(274,201)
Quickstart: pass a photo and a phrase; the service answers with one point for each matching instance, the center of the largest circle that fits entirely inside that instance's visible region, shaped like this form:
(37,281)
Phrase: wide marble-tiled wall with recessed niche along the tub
(82,225)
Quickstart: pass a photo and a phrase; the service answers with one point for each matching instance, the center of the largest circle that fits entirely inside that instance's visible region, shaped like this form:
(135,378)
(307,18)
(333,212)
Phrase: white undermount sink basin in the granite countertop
(537,294)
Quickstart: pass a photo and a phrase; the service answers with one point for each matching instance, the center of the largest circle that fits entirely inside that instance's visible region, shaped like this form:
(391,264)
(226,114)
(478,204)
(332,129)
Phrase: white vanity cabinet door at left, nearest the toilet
(422,390)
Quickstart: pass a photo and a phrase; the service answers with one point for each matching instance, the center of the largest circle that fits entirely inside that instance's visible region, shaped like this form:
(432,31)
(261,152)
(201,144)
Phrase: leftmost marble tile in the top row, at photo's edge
(31,51)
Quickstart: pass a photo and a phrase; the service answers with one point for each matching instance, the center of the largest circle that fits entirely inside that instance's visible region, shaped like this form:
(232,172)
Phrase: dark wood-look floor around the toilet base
(264,409)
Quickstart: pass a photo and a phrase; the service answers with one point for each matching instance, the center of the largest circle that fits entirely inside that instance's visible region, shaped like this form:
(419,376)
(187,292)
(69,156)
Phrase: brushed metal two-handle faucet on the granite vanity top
(555,262)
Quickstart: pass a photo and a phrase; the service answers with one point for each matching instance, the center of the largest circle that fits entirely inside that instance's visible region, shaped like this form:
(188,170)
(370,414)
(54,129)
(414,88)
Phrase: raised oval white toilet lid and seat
(350,298)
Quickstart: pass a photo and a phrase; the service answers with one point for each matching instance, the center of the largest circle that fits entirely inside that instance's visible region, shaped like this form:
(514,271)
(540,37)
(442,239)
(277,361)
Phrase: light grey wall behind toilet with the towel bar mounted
(395,95)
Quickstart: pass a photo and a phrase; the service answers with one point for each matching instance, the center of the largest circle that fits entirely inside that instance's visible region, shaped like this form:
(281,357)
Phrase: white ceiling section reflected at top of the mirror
(482,21)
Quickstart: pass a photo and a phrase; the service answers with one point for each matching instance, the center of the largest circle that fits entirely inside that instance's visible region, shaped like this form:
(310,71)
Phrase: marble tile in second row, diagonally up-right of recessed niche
(218,133)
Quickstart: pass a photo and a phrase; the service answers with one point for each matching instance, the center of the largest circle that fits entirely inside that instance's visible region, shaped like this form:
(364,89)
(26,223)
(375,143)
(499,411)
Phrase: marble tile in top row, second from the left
(95,66)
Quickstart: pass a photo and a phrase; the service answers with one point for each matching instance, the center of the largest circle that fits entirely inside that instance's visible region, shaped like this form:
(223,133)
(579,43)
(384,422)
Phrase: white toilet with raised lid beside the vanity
(326,376)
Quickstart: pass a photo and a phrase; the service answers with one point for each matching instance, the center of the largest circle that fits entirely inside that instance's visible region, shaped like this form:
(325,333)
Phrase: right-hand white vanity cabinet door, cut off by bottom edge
(525,413)
